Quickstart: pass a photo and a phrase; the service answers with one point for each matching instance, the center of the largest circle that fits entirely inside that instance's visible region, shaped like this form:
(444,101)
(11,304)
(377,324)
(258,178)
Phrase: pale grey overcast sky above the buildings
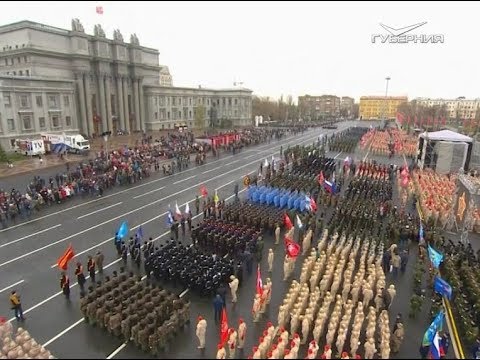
(290,48)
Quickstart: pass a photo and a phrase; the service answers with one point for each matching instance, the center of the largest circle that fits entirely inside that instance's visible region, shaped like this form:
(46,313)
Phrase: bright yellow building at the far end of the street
(379,107)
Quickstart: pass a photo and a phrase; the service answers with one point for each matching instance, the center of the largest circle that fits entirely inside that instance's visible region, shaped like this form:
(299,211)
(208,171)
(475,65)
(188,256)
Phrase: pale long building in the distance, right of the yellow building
(459,108)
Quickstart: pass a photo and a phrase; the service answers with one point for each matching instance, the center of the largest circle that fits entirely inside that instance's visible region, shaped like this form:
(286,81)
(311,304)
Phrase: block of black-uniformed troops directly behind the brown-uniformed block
(190,267)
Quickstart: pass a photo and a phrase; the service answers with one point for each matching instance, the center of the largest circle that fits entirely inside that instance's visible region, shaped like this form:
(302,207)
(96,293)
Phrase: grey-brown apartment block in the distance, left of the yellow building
(315,107)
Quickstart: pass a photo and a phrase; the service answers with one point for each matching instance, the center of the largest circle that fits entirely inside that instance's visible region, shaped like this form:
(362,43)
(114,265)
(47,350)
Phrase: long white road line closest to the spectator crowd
(147,183)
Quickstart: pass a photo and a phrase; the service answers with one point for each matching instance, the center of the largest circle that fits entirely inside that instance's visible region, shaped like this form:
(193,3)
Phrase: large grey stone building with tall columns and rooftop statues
(56,80)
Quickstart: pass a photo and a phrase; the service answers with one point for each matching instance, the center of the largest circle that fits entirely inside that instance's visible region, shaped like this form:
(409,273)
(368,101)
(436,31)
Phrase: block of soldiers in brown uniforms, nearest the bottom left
(134,310)
